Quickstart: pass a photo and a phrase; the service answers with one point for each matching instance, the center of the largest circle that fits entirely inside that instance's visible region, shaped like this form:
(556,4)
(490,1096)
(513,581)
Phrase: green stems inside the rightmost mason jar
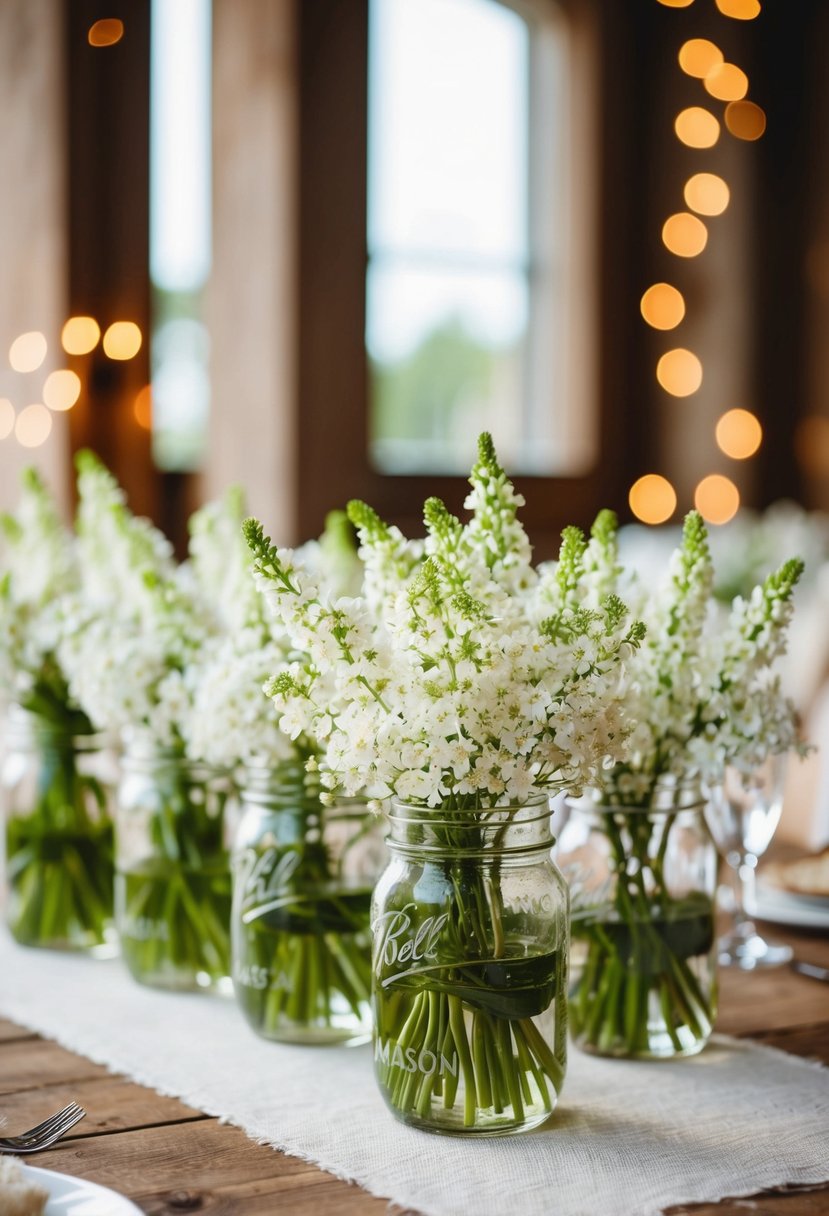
(644,988)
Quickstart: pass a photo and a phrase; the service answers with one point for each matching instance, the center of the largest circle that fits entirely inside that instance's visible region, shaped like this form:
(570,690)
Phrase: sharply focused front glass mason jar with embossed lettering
(470,931)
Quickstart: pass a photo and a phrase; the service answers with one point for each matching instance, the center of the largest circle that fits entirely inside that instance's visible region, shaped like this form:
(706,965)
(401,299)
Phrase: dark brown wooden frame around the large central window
(332,362)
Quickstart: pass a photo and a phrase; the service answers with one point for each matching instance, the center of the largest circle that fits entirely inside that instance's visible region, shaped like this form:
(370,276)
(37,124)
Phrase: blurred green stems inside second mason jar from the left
(173,903)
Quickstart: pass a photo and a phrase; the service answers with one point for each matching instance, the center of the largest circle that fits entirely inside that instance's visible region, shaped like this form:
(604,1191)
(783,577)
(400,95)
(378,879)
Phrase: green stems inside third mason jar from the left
(302,939)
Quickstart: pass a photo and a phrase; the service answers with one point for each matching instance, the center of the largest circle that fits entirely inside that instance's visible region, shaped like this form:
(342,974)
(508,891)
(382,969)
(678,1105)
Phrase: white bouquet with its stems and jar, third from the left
(303,871)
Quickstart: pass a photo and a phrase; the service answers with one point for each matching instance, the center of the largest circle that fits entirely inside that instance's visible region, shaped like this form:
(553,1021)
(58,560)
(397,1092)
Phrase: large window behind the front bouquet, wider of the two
(466,309)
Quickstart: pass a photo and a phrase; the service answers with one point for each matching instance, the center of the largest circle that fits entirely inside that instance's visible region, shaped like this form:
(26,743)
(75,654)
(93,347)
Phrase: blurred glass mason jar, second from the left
(173,882)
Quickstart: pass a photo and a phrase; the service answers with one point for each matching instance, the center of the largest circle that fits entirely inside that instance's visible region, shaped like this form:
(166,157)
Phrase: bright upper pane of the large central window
(448,127)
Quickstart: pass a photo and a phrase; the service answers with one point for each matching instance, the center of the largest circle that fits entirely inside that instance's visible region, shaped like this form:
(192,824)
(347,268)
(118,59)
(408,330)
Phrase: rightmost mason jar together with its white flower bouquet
(703,696)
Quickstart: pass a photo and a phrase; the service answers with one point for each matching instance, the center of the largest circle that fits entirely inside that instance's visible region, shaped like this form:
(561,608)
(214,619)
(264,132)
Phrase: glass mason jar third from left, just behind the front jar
(303,876)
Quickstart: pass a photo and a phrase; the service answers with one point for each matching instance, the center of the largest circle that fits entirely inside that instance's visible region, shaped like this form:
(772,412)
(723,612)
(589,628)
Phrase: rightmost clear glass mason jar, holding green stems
(642,888)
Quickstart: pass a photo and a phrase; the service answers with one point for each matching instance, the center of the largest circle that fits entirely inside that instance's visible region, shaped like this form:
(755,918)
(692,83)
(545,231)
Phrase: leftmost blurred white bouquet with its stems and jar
(59,830)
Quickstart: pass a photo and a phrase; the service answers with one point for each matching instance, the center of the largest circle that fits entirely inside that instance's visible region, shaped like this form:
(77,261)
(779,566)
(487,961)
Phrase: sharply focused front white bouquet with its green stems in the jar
(466,685)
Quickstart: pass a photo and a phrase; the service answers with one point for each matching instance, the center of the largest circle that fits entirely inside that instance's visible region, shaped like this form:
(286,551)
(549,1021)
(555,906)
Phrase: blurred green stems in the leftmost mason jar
(60,852)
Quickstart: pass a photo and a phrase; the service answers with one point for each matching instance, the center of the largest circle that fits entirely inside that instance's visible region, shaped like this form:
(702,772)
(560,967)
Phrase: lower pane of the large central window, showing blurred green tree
(448,354)
